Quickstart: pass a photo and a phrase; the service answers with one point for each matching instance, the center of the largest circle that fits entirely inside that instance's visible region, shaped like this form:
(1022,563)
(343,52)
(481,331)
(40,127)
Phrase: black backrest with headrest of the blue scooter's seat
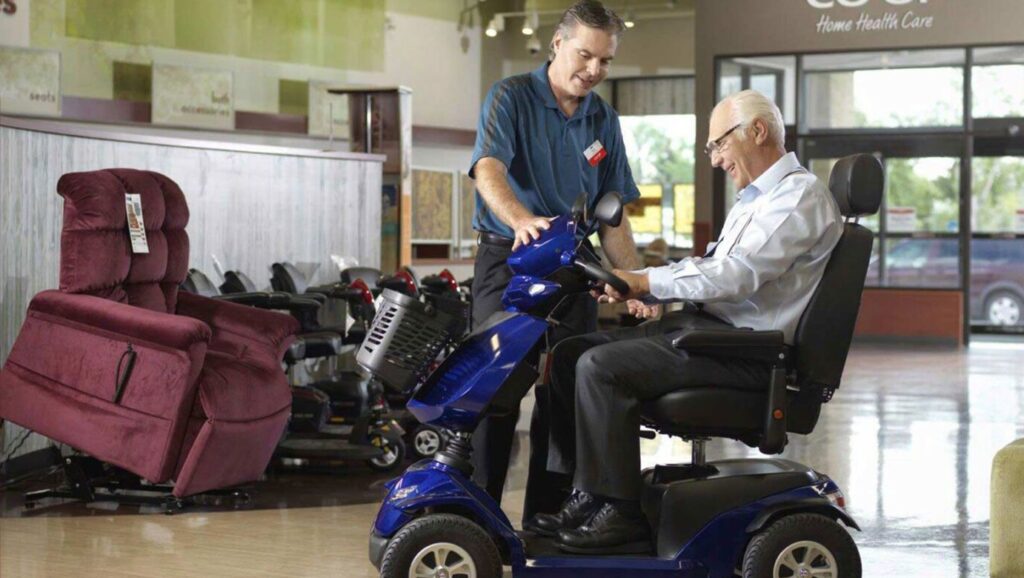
(826,329)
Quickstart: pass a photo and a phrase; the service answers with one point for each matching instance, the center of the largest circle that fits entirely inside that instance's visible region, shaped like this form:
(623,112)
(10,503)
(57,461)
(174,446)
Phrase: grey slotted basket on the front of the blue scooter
(407,336)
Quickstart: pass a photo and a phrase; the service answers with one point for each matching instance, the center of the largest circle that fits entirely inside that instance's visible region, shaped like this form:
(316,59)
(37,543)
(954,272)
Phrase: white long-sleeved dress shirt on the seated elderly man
(771,258)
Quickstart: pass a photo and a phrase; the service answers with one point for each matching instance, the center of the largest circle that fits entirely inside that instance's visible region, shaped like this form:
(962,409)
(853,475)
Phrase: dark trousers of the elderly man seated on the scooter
(599,382)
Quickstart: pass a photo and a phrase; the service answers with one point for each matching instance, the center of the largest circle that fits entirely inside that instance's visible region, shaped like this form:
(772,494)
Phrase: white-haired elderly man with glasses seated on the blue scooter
(761,274)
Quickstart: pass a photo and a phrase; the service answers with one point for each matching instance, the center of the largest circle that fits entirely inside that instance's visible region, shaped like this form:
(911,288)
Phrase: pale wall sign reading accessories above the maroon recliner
(200,99)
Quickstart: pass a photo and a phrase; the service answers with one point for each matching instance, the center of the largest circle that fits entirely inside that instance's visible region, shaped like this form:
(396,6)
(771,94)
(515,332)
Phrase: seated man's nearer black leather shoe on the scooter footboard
(613,530)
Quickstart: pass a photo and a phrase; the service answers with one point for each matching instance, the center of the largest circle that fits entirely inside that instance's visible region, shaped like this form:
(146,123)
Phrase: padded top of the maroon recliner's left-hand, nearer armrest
(169,331)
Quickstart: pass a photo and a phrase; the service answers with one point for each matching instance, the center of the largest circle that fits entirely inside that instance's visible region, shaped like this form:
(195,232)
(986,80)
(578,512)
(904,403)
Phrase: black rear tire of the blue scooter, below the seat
(784,534)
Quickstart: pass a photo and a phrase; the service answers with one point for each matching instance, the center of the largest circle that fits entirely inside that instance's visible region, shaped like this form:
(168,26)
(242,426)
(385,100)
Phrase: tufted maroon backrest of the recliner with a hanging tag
(97,256)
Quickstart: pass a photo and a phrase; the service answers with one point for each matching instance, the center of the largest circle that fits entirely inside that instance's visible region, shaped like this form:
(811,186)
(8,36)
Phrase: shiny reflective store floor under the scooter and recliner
(910,438)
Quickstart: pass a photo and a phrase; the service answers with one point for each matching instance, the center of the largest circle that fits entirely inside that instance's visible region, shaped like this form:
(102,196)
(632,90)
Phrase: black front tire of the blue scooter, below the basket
(432,532)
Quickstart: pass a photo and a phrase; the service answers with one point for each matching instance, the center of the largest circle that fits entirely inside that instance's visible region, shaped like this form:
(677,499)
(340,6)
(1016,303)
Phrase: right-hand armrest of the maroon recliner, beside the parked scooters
(237,328)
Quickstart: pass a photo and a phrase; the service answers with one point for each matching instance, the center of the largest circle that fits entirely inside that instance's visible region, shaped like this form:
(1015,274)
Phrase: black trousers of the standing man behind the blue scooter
(493,439)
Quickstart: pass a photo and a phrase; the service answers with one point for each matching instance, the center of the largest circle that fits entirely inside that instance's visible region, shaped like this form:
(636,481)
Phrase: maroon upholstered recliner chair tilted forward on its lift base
(121,365)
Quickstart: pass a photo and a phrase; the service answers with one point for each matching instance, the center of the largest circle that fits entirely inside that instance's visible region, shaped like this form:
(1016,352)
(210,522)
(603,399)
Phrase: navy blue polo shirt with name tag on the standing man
(523,127)
